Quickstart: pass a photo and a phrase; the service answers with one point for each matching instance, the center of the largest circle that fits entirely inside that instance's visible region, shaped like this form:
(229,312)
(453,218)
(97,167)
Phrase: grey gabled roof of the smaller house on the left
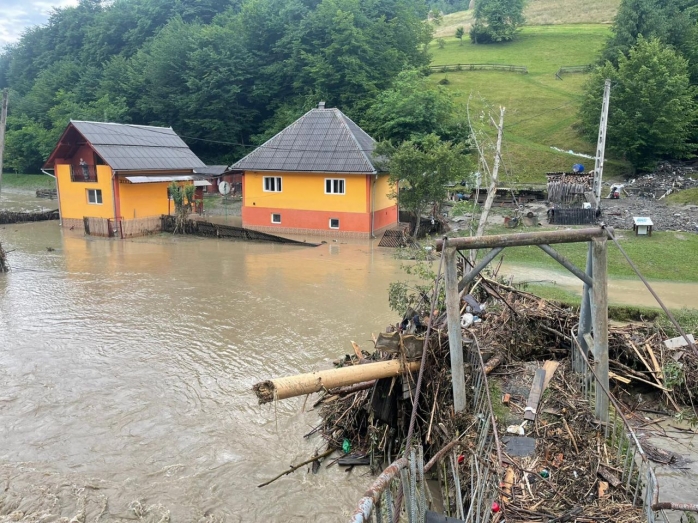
(138,147)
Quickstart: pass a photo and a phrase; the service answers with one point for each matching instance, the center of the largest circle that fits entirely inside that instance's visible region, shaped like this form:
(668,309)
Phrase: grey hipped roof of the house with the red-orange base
(322,140)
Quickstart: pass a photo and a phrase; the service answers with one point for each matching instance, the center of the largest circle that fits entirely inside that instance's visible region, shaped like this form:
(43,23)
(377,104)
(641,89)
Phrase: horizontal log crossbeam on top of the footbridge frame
(526,238)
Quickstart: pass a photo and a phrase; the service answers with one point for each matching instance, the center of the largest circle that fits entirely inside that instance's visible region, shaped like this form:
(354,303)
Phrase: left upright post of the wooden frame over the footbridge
(455,335)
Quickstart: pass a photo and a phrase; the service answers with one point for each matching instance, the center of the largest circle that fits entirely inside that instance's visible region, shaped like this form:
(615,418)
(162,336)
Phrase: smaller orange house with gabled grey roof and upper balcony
(115,177)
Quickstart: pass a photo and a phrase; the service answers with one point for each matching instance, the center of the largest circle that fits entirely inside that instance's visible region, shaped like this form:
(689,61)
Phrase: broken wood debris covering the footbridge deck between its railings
(562,468)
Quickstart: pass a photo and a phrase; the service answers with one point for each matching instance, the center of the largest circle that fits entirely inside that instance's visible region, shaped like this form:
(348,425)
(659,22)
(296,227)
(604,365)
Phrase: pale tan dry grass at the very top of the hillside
(544,12)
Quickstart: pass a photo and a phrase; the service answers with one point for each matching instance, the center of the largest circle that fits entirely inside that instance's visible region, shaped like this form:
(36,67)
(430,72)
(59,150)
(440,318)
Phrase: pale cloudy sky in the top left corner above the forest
(17,15)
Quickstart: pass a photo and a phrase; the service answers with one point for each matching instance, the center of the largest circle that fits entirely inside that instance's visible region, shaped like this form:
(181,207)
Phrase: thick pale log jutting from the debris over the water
(291,386)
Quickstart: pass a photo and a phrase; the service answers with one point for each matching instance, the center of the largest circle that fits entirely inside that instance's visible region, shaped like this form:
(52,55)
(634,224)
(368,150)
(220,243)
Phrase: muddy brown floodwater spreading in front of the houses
(126,367)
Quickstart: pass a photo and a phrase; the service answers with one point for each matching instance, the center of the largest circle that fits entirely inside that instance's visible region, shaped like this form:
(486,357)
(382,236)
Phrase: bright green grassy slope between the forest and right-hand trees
(541,109)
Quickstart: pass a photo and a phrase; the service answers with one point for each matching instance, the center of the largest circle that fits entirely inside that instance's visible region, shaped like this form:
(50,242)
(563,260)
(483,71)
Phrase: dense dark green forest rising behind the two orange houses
(225,74)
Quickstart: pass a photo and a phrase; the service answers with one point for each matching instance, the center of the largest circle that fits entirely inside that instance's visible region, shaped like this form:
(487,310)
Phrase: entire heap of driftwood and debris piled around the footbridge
(556,462)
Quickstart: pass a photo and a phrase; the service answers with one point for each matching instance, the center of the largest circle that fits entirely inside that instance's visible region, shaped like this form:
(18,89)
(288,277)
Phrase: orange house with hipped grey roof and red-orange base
(317,176)
